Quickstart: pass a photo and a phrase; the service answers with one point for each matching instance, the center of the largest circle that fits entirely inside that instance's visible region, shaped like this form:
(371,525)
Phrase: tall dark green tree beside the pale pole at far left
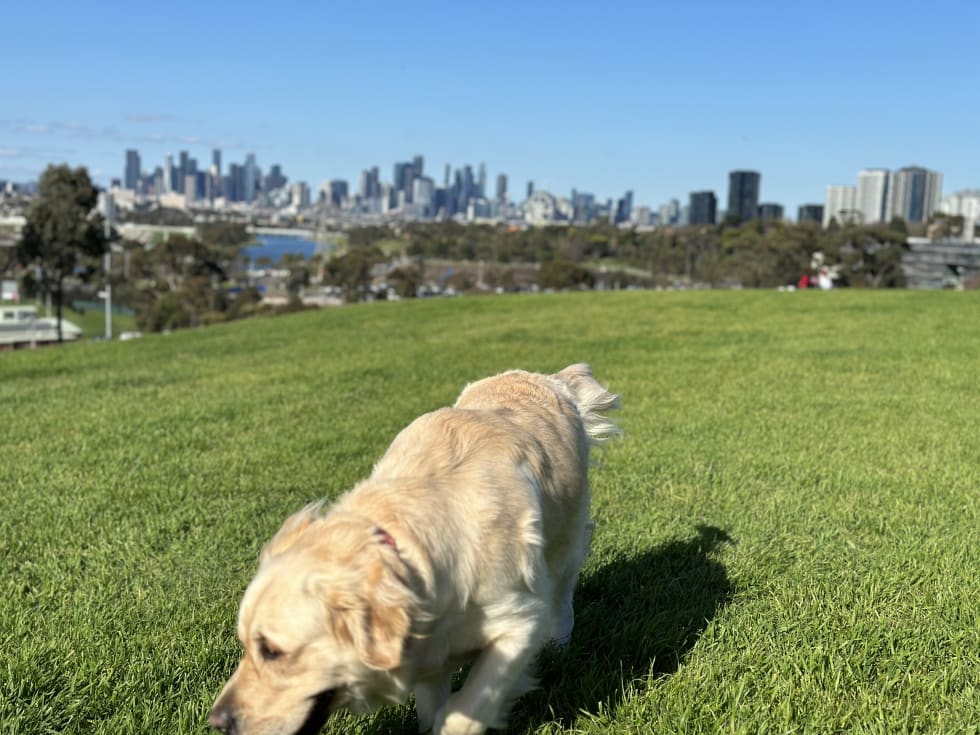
(61,230)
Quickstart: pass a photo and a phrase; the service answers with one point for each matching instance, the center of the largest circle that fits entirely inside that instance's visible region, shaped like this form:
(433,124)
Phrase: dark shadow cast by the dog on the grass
(635,616)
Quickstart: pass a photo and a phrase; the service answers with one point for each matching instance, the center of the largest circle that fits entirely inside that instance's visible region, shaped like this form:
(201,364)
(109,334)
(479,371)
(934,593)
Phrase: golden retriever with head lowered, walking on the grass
(464,545)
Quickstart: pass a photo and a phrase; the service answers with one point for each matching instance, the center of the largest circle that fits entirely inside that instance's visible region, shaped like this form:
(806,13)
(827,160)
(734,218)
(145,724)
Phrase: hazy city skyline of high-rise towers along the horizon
(910,193)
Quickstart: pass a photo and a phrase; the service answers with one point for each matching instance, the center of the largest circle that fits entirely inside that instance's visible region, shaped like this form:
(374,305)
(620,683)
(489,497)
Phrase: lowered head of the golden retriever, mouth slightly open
(323,625)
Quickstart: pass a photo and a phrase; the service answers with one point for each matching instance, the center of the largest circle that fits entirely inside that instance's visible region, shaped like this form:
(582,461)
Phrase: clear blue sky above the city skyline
(663,99)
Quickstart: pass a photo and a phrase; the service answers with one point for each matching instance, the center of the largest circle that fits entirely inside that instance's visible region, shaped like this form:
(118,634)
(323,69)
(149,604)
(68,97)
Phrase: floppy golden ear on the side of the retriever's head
(373,615)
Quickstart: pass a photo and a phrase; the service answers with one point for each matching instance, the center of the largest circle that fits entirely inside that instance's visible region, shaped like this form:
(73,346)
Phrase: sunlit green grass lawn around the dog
(788,534)
